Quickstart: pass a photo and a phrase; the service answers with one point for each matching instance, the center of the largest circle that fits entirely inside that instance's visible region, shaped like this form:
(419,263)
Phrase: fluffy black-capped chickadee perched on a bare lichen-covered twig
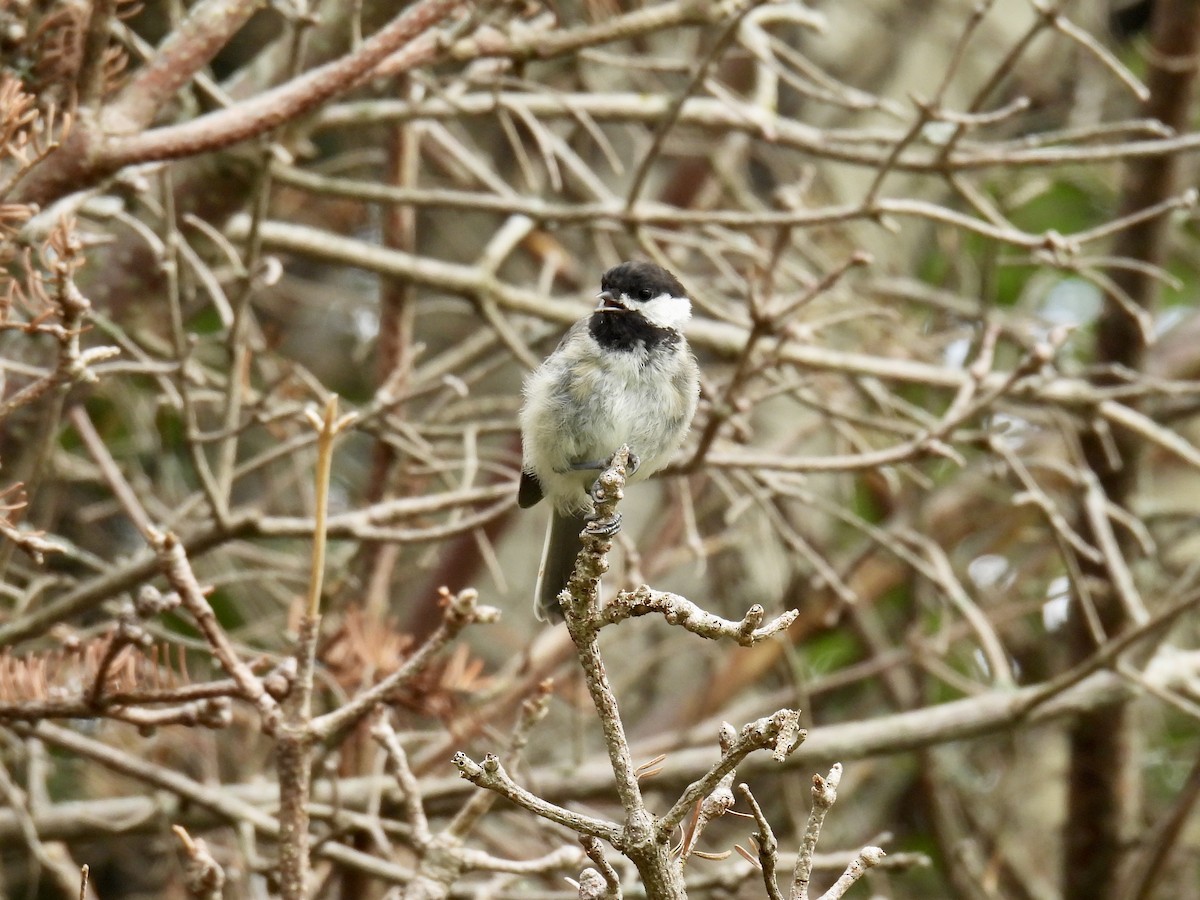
(623,375)
